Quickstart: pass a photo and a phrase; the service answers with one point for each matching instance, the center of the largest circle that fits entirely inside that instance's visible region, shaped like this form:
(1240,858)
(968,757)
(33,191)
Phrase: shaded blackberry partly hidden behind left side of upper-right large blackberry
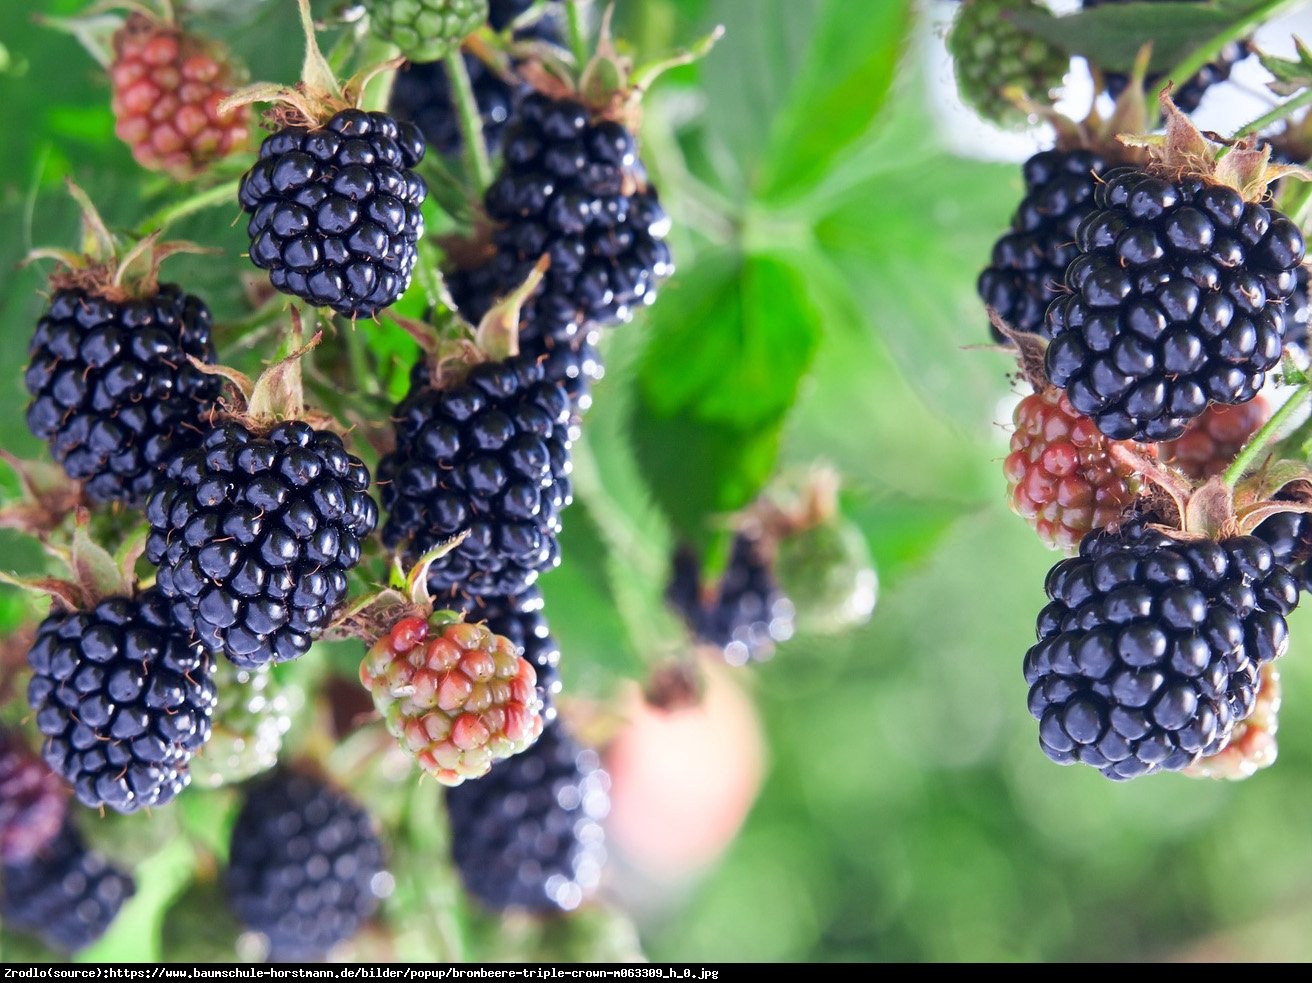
(1029,262)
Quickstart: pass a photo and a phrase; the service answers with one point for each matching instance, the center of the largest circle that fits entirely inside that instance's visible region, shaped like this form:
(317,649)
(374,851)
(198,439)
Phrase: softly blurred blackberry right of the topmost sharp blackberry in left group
(575,191)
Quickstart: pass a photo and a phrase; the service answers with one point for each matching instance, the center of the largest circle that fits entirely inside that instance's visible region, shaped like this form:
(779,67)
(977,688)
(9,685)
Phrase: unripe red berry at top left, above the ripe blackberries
(167,93)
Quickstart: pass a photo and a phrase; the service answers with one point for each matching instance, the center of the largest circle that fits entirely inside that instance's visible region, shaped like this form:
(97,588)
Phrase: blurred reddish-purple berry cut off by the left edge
(33,804)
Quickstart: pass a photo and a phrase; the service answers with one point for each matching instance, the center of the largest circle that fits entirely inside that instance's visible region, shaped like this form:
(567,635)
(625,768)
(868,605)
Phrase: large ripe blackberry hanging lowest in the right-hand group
(1150,650)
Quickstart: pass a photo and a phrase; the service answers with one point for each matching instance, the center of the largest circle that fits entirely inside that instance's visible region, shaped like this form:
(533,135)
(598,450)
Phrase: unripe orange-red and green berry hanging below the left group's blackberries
(455,695)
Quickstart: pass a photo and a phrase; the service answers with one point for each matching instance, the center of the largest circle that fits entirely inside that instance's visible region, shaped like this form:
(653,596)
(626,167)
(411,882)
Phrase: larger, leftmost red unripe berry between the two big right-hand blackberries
(1061,477)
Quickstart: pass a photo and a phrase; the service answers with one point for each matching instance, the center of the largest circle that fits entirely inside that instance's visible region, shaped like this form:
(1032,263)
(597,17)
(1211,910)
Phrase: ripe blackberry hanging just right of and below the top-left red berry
(335,212)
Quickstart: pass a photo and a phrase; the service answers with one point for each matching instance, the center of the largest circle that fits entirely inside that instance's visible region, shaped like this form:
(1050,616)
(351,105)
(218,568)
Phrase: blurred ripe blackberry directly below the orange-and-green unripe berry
(529,834)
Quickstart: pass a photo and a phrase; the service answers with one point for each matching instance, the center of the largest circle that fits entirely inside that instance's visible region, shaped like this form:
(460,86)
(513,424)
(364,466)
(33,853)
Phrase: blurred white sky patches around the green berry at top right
(1226,107)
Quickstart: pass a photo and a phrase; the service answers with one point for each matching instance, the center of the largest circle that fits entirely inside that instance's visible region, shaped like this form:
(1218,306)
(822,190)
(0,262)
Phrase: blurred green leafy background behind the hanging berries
(823,310)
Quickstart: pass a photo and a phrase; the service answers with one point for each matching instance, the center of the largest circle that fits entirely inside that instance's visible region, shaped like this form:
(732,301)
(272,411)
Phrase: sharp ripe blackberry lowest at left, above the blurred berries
(124,699)
